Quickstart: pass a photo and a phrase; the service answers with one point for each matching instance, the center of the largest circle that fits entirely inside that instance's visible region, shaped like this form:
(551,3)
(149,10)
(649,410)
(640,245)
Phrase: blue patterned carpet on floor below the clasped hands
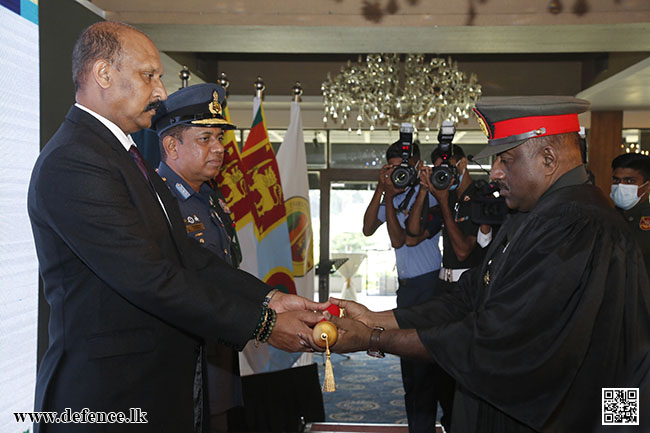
(368,390)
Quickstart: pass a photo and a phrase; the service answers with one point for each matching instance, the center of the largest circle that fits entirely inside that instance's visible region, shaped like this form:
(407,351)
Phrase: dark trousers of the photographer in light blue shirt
(425,383)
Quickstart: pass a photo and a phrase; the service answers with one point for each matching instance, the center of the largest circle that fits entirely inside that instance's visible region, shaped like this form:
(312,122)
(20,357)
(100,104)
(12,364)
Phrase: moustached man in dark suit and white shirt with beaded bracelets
(132,297)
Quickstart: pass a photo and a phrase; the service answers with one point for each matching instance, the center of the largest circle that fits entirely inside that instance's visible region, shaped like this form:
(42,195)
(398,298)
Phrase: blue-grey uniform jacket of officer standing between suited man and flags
(201,221)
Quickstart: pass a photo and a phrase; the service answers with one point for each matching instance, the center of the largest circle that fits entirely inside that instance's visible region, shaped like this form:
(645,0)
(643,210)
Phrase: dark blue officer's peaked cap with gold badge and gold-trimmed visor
(197,105)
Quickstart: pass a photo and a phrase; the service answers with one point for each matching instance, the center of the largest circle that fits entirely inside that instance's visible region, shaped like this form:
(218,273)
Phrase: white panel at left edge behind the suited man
(19,147)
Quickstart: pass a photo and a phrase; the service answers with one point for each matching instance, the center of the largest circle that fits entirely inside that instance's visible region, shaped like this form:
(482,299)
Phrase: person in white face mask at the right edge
(630,190)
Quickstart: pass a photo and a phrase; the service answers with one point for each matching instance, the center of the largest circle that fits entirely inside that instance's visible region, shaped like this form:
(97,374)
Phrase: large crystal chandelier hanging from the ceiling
(382,94)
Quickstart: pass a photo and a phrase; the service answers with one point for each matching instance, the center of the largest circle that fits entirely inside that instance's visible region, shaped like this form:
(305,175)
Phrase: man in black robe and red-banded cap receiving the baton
(559,308)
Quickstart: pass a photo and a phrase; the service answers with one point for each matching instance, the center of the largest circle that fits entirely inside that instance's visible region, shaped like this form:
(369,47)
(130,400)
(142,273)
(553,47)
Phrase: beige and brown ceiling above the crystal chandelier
(597,49)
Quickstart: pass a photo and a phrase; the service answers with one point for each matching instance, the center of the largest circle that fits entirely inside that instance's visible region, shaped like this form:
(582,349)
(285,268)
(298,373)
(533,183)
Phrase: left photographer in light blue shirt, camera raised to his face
(418,265)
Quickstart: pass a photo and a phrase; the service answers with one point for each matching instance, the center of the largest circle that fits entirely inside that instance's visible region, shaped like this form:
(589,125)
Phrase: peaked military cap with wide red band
(510,121)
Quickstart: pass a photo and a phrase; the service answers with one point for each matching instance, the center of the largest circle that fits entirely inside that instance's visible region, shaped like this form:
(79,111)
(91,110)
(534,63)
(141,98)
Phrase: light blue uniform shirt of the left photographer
(422,258)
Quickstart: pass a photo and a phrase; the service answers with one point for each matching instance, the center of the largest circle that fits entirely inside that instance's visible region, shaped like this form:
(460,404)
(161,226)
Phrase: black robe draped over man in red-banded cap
(565,314)
